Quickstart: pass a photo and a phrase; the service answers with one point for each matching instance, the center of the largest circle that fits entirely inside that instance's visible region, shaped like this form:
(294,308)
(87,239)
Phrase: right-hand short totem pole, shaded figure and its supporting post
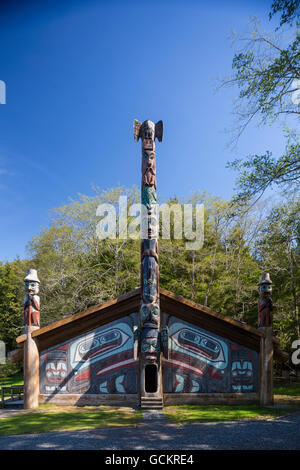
(265,322)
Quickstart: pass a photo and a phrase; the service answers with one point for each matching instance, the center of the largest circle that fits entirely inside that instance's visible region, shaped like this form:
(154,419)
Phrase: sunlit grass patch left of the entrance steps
(51,418)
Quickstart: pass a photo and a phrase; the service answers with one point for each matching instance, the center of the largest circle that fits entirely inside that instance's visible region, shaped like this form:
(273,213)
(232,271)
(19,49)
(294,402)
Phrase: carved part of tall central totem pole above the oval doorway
(150,310)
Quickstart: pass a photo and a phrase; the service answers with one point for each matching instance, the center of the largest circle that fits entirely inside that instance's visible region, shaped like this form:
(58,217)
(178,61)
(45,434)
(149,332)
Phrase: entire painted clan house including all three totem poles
(149,347)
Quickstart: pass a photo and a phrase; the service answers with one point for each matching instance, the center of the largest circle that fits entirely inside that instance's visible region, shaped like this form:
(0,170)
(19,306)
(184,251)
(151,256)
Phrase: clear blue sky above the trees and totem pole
(77,73)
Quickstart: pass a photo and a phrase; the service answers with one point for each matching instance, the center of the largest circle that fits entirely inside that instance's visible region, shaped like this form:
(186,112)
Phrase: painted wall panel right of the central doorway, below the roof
(202,362)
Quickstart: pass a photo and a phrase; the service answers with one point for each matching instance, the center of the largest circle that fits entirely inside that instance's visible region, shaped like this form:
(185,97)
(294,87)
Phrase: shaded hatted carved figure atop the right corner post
(265,306)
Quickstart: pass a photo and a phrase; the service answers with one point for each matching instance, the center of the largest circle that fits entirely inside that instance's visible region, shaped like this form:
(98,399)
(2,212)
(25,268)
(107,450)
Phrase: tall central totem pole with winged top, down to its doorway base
(149,321)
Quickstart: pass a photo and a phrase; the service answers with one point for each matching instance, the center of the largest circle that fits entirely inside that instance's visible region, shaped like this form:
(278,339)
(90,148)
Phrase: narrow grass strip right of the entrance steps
(185,414)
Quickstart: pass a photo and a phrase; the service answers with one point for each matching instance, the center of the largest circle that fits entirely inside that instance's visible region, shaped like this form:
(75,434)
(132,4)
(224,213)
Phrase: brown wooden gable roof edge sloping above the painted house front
(170,303)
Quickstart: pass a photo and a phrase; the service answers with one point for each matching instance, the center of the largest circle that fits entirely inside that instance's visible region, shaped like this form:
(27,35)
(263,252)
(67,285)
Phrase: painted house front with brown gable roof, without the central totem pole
(93,357)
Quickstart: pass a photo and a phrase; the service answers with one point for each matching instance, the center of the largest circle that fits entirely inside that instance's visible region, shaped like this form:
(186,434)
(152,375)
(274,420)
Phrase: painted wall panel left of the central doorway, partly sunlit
(101,361)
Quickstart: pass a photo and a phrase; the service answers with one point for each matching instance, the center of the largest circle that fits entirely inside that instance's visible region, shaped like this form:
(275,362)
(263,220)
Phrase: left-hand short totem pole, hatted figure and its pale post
(31,353)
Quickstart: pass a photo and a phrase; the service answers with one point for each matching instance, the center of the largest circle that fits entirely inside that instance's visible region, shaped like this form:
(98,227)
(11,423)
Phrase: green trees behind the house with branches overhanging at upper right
(243,236)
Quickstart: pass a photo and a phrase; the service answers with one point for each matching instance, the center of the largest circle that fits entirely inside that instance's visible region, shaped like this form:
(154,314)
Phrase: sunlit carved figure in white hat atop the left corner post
(32,300)
